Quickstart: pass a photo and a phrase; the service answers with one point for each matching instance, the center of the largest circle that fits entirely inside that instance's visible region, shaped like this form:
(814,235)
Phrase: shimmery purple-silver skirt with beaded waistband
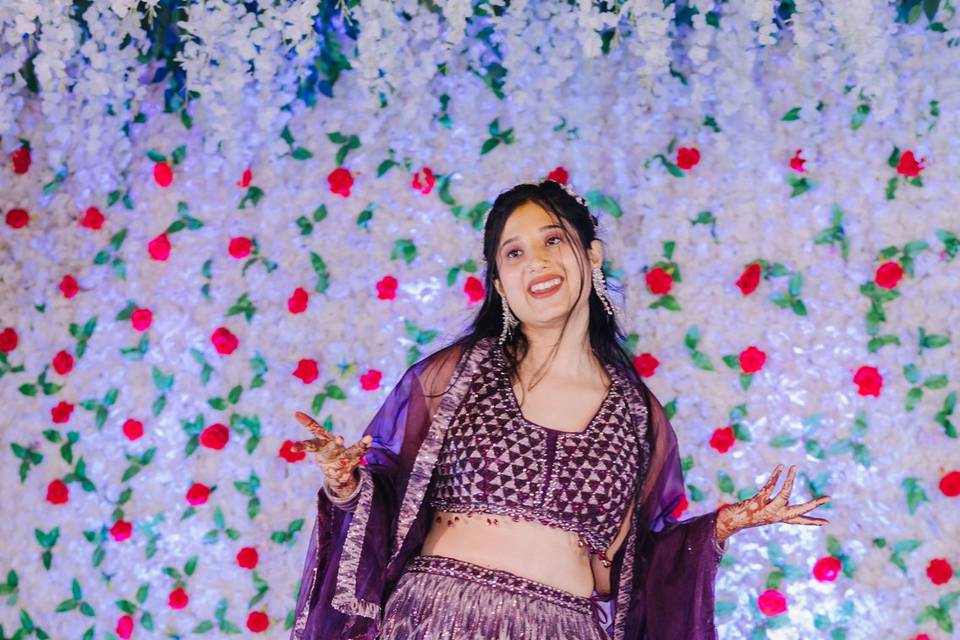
(441,598)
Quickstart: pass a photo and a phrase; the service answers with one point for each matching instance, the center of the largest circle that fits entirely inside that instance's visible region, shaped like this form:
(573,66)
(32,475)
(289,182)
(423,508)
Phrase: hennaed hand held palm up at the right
(761,509)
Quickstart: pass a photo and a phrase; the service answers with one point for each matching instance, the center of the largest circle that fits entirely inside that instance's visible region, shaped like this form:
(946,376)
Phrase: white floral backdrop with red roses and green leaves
(217,213)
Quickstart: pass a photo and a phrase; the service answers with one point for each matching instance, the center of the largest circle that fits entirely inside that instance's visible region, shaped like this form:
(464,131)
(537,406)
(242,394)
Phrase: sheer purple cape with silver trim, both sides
(662,576)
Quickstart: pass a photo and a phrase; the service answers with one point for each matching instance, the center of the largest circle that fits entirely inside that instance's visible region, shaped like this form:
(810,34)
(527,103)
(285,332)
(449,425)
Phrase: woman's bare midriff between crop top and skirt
(525,548)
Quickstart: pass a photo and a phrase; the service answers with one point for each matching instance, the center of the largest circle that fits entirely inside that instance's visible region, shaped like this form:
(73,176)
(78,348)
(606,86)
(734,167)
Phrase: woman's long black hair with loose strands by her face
(606,336)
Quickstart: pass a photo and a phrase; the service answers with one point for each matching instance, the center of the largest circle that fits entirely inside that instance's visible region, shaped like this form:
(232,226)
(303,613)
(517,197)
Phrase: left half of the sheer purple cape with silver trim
(357,551)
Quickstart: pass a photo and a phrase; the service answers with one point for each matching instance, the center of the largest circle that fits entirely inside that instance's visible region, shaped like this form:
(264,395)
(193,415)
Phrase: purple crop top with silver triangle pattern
(495,461)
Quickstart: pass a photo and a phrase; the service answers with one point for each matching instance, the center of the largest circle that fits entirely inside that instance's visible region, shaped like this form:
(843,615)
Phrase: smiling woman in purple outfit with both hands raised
(470,518)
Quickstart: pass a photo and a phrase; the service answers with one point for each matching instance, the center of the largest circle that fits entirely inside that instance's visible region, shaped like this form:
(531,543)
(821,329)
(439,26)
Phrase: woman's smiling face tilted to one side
(533,249)
